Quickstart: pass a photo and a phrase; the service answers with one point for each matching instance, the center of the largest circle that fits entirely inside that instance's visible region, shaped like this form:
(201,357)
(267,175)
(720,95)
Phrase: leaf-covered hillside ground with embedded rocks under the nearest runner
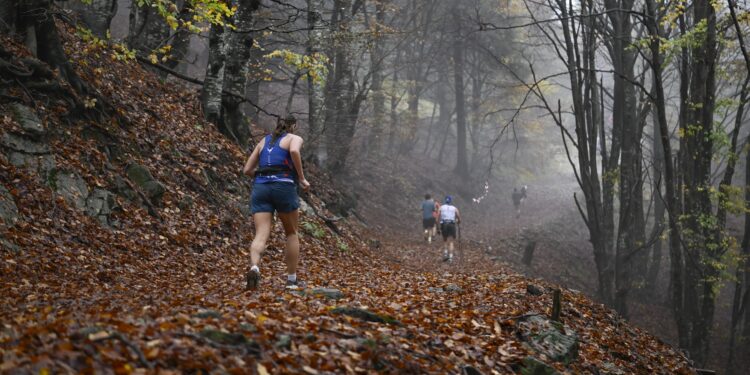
(125,238)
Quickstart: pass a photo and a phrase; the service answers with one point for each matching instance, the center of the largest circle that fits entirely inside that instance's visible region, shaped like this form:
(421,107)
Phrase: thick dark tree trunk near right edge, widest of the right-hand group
(702,236)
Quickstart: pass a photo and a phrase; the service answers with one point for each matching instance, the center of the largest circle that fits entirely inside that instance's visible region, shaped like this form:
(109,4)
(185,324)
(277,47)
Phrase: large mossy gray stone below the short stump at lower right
(556,341)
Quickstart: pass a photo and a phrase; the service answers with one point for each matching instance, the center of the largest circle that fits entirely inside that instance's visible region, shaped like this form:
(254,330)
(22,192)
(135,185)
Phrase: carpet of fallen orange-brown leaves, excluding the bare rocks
(160,283)
